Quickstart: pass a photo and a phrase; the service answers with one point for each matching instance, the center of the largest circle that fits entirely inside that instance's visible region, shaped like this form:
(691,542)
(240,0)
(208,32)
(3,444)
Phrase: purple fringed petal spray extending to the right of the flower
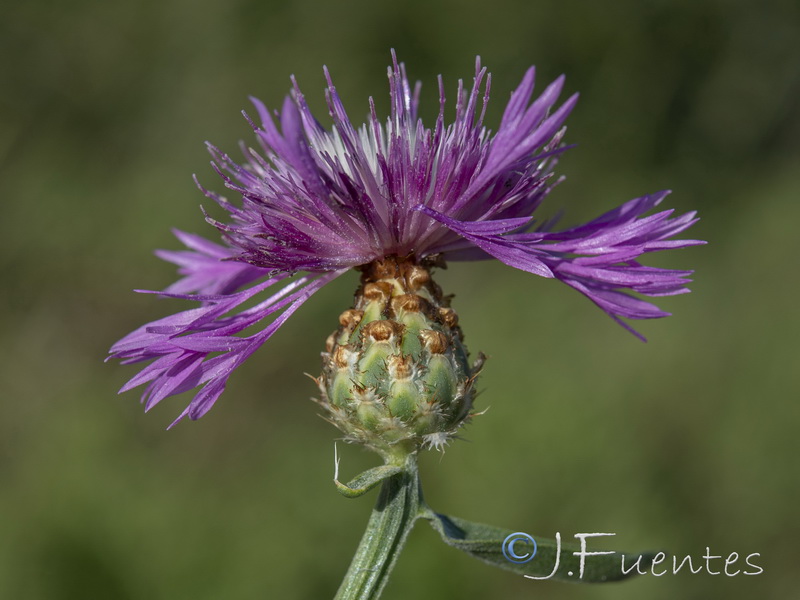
(599,259)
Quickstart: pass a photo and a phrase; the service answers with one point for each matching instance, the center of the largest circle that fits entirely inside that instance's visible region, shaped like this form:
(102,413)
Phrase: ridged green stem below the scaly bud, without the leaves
(392,518)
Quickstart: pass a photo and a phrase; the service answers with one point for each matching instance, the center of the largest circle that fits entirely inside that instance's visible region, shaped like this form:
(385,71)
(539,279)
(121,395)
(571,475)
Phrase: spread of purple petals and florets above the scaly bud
(316,202)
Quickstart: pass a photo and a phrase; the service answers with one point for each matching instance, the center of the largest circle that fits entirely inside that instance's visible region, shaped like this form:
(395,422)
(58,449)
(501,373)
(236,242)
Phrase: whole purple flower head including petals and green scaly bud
(392,199)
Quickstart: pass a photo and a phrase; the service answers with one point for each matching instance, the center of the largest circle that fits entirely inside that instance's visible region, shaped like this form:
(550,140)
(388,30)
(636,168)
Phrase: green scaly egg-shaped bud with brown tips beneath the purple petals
(396,375)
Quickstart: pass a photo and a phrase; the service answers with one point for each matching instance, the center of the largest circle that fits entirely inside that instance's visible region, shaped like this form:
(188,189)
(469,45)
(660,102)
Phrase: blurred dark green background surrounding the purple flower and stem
(686,442)
